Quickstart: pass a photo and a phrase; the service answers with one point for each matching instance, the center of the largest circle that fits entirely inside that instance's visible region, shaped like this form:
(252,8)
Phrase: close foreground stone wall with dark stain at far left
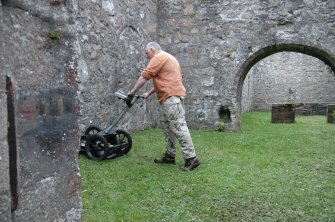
(39,67)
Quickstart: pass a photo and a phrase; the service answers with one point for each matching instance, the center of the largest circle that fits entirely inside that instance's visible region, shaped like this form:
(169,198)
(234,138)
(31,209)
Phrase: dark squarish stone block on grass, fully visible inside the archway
(283,113)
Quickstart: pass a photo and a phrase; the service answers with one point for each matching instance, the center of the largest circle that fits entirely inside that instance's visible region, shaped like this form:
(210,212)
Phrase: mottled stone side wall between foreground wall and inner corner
(112,36)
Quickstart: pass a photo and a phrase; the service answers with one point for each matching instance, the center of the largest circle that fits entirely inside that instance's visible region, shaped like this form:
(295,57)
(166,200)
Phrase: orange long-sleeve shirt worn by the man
(165,71)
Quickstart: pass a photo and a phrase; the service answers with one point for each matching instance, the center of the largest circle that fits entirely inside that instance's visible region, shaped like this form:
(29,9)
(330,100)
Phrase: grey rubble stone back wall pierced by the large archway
(217,42)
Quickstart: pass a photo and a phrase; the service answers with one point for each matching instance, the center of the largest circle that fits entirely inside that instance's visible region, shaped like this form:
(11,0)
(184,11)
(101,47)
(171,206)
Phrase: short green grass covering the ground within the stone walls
(265,172)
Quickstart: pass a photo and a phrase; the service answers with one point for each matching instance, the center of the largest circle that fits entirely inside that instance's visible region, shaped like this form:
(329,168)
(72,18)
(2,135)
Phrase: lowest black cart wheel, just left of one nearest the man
(96,147)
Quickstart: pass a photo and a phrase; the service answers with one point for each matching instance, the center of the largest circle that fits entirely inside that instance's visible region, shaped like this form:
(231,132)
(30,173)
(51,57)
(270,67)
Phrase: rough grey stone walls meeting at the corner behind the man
(216,42)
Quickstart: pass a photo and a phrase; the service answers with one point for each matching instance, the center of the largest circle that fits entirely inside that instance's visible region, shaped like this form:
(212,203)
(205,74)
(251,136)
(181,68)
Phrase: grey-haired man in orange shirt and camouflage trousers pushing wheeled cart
(165,72)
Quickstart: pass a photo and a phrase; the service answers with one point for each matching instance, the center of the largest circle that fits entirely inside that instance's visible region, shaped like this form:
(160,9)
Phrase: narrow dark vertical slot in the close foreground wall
(11,138)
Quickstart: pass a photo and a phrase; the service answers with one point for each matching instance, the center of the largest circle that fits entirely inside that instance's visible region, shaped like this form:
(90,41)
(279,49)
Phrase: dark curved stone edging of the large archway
(319,53)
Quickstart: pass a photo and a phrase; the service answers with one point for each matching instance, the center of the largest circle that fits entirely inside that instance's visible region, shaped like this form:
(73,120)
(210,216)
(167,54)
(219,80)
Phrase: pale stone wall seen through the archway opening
(288,78)
